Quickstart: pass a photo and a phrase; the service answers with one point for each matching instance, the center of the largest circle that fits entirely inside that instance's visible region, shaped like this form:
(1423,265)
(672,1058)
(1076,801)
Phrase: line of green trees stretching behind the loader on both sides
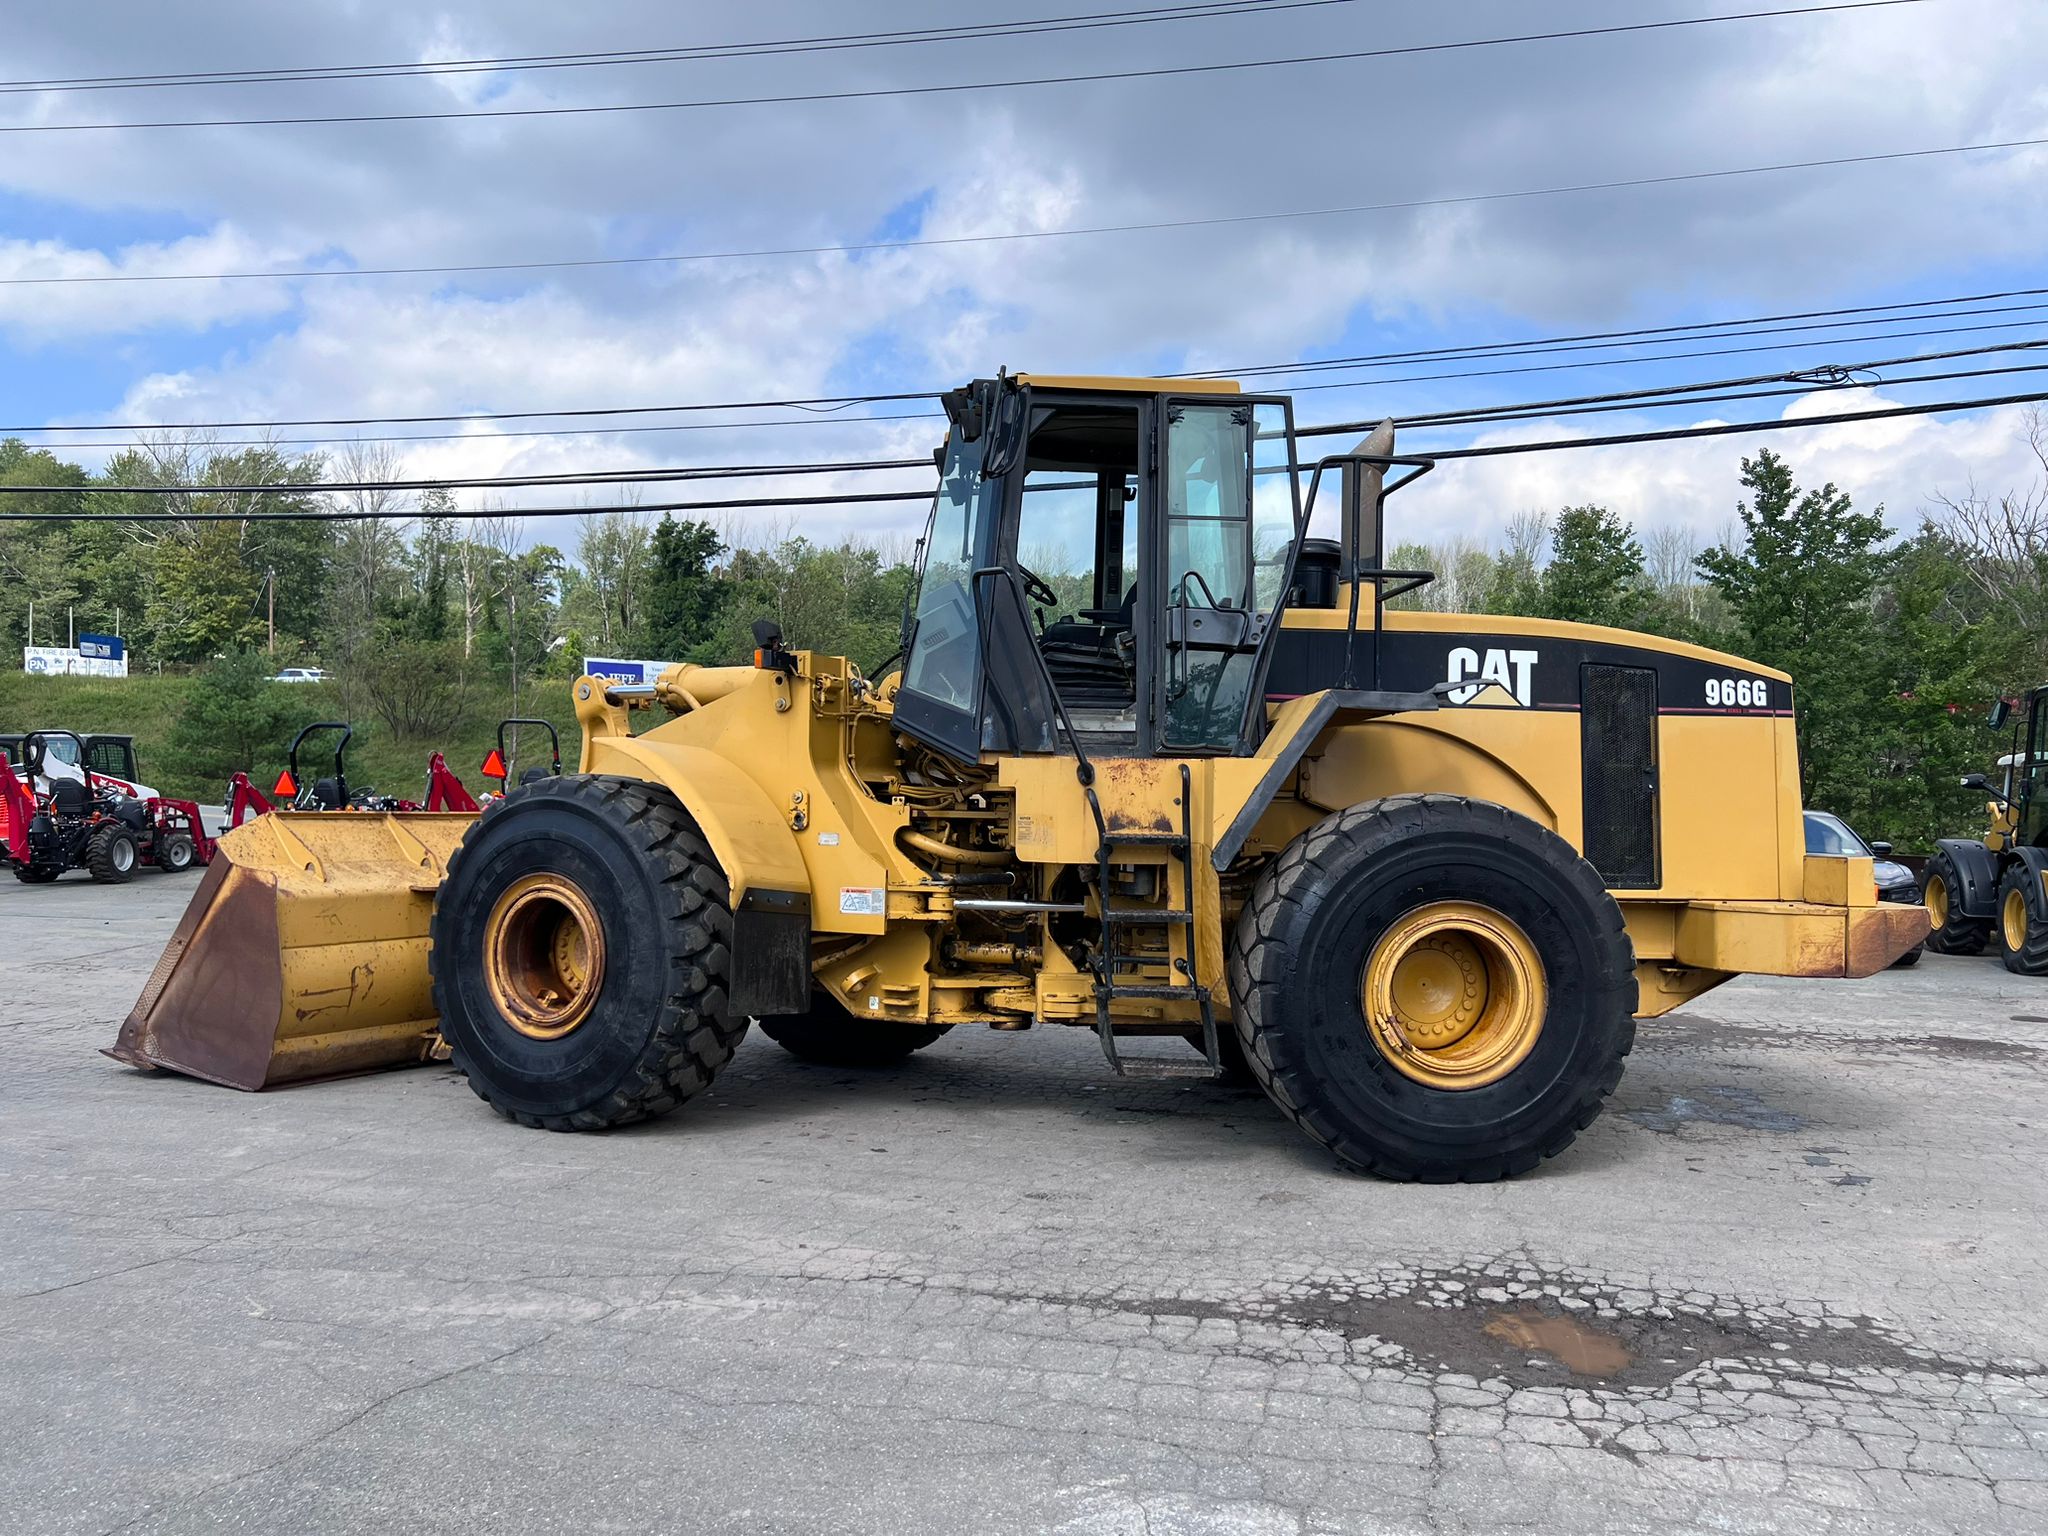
(1897,646)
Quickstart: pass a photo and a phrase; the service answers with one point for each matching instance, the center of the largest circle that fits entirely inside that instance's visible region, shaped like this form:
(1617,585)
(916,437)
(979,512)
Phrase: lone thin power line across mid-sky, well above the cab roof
(1076,232)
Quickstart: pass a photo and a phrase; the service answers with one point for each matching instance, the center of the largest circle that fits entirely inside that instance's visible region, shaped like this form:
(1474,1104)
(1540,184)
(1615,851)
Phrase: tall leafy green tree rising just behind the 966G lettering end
(1801,591)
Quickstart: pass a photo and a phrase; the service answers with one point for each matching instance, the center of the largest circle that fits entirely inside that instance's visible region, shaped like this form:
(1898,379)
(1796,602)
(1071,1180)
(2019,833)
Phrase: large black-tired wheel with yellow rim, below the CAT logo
(1435,988)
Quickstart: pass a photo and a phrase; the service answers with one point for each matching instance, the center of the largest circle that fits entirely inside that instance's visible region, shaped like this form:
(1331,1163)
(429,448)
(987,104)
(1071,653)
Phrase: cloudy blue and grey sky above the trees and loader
(1422,128)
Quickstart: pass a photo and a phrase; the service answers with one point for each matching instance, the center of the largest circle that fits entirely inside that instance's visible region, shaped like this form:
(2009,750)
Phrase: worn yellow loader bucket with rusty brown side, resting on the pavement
(302,953)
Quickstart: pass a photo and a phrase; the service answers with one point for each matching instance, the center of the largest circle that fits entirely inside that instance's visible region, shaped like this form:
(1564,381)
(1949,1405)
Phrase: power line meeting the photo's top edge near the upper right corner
(949,89)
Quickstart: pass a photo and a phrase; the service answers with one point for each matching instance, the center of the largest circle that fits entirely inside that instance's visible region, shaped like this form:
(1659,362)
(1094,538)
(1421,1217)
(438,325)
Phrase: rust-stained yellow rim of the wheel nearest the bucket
(544,955)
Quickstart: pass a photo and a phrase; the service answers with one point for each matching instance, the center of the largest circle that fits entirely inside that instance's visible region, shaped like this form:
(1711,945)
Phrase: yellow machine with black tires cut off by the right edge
(1996,892)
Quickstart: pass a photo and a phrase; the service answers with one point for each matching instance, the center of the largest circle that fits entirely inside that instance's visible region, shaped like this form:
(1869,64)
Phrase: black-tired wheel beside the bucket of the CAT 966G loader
(646,1023)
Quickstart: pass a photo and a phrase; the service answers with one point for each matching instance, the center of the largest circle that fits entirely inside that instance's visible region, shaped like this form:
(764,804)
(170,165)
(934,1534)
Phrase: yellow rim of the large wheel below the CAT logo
(1455,996)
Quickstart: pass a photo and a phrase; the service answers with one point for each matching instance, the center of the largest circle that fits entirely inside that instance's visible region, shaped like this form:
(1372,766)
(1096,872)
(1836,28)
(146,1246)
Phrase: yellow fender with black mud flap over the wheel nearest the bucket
(755,847)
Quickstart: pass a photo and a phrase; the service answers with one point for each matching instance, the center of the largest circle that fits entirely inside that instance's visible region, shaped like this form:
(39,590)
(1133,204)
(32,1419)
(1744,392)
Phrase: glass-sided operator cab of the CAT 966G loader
(1107,556)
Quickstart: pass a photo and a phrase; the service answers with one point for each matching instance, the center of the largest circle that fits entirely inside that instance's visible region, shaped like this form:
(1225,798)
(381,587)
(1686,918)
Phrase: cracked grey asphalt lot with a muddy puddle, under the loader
(1789,1283)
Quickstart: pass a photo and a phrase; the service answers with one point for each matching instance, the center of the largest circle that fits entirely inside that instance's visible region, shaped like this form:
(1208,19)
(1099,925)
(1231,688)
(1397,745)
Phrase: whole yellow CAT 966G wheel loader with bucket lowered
(1156,763)
